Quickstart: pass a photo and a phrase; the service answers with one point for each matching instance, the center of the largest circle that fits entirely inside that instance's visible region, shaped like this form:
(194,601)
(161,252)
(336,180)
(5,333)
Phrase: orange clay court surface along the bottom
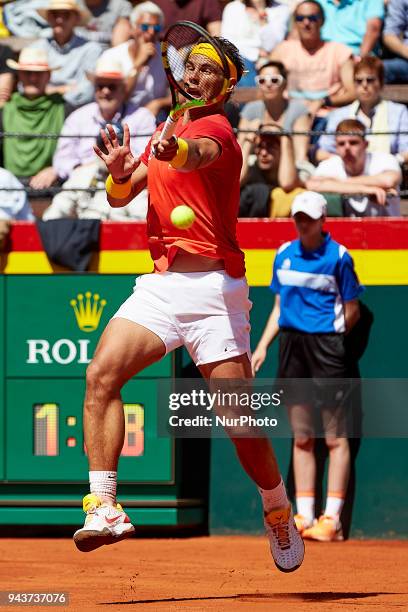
(211,573)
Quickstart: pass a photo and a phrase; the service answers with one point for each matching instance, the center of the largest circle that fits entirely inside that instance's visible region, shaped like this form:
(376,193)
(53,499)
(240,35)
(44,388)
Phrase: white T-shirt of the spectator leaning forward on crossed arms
(375,163)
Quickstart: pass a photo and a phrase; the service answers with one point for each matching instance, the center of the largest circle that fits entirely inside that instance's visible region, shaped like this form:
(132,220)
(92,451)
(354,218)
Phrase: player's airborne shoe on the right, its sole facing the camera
(285,541)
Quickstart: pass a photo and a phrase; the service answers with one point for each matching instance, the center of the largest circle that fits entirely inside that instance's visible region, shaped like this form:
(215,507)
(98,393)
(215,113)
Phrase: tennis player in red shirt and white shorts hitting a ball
(197,296)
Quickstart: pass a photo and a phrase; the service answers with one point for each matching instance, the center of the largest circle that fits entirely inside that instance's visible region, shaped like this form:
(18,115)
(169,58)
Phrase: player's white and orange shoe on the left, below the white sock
(104,524)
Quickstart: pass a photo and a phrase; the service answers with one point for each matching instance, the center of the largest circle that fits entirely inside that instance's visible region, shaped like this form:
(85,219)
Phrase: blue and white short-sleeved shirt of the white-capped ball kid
(313,286)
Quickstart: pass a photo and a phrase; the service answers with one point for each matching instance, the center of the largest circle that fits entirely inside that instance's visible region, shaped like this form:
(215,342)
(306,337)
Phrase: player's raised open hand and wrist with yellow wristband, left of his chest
(127,173)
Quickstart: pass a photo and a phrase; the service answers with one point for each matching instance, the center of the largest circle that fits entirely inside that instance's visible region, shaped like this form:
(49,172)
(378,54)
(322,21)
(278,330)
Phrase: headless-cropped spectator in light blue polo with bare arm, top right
(355,23)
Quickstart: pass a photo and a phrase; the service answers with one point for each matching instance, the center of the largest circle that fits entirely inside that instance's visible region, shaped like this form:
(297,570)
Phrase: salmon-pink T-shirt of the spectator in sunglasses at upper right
(313,76)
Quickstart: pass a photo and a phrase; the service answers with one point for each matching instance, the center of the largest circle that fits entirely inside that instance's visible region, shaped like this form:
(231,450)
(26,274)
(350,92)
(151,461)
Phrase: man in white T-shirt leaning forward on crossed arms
(367,181)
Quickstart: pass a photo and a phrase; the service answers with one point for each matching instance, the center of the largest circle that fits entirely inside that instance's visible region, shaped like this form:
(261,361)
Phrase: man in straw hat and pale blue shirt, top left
(71,53)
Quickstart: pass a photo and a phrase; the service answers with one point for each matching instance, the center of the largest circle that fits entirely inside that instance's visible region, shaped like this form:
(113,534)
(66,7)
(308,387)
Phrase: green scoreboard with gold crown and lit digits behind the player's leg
(50,325)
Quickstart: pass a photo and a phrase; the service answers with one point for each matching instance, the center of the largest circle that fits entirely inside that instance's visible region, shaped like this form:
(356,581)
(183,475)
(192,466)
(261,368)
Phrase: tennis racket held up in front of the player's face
(181,59)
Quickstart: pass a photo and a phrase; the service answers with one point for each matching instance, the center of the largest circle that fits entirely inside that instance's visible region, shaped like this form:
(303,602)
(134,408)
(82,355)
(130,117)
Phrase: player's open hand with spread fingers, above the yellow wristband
(119,159)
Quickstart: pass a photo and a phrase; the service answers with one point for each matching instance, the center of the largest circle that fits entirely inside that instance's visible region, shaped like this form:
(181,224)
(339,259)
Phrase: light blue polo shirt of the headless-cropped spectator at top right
(346,22)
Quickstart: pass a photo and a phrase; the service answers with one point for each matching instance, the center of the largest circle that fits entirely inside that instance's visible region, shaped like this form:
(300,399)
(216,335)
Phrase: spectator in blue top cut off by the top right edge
(395,37)
